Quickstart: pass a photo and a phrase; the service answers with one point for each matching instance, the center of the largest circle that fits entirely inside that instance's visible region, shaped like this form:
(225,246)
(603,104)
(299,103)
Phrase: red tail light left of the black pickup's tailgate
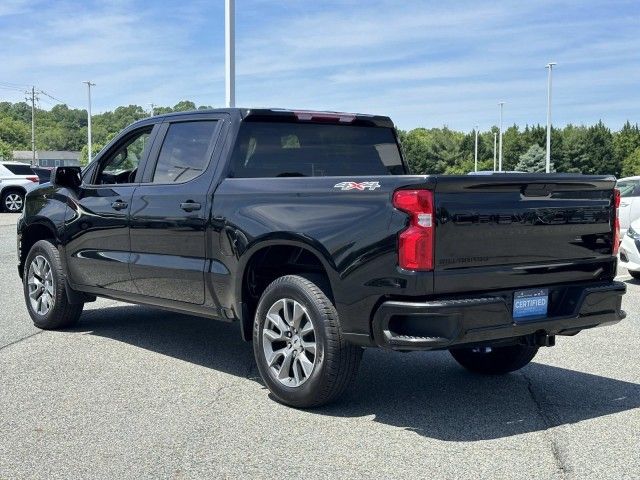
(415,244)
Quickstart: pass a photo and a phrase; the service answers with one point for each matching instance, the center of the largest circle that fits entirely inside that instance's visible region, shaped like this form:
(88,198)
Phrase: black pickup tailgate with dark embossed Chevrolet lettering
(504,231)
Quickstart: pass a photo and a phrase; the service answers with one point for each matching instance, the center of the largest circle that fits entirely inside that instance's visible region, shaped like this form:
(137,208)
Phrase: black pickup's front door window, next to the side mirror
(121,165)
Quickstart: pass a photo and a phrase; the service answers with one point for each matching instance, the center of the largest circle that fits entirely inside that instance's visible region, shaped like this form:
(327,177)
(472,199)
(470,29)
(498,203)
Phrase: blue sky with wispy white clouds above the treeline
(424,63)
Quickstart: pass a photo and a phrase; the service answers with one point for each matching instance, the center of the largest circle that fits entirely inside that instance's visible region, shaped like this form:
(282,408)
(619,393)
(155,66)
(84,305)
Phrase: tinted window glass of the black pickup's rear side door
(185,152)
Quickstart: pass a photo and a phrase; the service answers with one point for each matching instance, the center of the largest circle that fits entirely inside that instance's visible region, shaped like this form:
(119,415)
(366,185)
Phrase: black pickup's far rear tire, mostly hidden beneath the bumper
(498,361)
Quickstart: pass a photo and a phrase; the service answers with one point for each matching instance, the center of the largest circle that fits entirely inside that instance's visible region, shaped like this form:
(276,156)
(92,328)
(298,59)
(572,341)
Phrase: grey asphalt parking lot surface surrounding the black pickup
(134,392)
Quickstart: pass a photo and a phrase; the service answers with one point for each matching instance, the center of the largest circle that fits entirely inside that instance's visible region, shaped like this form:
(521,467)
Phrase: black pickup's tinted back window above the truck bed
(273,149)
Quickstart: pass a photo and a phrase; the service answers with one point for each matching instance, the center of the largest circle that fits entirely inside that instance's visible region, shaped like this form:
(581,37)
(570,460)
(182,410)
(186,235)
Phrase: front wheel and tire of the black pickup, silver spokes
(54,310)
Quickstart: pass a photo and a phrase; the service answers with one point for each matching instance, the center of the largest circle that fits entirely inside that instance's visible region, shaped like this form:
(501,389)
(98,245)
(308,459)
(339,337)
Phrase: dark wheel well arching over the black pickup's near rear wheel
(273,262)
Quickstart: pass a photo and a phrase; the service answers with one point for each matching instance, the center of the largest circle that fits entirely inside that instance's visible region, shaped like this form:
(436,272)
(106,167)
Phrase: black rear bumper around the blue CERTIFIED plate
(440,324)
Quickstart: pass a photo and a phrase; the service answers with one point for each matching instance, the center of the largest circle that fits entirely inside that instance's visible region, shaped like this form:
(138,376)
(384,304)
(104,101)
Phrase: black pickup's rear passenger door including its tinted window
(169,212)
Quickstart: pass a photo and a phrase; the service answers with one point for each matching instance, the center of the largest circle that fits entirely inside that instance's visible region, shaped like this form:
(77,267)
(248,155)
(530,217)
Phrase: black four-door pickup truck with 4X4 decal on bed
(307,229)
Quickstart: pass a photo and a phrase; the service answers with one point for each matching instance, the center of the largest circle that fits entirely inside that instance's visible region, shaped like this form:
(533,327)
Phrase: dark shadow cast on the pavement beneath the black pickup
(427,393)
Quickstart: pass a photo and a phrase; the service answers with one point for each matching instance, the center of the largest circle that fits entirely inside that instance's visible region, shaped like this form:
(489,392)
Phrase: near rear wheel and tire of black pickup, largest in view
(334,361)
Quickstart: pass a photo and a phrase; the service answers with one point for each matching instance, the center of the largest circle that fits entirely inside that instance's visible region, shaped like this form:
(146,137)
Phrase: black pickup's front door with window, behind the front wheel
(98,247)
